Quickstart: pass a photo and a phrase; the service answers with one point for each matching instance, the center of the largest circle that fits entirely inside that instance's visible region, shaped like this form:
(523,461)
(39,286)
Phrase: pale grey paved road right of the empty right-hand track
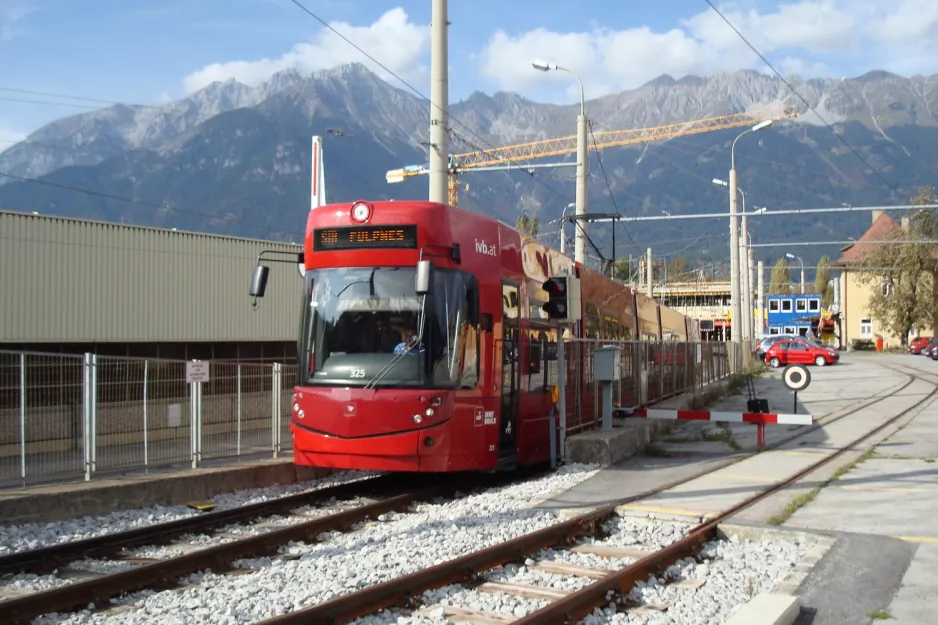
(887,562)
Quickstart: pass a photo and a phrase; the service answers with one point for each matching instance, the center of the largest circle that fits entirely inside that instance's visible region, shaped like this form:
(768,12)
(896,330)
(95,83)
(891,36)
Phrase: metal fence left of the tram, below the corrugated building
(75,416)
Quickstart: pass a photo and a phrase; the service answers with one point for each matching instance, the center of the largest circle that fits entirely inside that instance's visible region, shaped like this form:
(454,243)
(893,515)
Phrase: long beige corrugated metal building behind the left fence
(77,285)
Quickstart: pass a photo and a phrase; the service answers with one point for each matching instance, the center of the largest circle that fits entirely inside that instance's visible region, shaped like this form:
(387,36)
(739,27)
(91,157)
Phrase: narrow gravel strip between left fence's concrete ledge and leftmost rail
(15,538)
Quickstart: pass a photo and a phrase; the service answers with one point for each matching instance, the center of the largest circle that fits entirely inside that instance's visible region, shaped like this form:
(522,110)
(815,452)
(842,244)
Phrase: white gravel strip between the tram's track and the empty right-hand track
(392,546)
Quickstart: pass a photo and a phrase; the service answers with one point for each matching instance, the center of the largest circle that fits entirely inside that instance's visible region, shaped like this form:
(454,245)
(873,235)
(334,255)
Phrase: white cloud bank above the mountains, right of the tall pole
(804,37)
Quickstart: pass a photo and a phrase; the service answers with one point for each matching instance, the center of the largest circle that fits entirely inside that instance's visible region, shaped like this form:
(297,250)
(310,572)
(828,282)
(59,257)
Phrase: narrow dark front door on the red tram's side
(511,367)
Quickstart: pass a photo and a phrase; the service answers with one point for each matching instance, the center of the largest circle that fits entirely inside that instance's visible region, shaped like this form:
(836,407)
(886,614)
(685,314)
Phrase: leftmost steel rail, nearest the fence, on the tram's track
(52,557)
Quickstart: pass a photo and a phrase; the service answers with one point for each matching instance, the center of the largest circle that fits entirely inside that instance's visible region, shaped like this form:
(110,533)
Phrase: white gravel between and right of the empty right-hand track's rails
(734,571)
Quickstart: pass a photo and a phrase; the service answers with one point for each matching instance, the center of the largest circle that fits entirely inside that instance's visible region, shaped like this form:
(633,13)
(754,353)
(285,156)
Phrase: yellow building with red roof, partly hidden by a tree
(856,320)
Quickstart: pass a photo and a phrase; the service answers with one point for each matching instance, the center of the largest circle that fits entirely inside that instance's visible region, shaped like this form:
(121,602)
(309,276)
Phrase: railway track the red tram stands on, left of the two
(396,491)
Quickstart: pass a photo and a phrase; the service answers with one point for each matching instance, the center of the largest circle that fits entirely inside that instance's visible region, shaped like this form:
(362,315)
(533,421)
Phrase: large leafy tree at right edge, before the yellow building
(902,274)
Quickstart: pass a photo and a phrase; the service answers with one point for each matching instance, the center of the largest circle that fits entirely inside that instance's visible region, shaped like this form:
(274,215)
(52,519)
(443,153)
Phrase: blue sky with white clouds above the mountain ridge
(146,51)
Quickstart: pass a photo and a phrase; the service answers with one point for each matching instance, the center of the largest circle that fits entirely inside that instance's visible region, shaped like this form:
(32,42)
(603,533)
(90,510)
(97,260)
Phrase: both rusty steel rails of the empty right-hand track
(468,568)
